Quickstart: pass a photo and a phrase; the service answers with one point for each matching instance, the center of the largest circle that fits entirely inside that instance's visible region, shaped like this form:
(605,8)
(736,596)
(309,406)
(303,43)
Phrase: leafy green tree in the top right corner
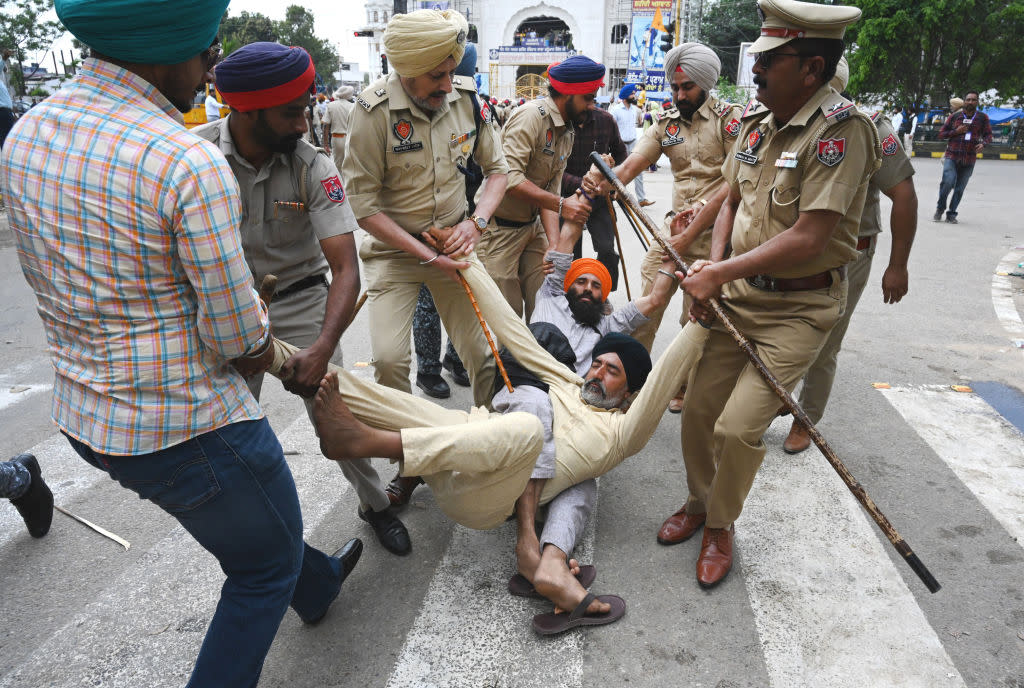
(929,51)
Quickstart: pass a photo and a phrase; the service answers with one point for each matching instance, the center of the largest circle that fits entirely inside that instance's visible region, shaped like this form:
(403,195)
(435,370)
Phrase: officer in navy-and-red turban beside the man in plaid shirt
(298,227)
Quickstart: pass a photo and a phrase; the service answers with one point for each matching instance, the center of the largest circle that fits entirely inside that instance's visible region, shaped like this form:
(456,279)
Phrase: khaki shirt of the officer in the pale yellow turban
(404,163)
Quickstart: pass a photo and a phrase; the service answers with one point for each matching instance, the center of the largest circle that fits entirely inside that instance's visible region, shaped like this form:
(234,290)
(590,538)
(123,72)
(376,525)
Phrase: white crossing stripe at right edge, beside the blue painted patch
(984,450)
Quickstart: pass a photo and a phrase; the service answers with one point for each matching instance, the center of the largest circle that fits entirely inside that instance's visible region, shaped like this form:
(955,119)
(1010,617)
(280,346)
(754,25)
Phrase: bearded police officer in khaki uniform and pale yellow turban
(411,133)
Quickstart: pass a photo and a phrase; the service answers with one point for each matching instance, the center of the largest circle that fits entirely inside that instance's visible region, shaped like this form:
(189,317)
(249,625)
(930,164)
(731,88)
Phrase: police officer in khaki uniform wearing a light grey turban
(696,136)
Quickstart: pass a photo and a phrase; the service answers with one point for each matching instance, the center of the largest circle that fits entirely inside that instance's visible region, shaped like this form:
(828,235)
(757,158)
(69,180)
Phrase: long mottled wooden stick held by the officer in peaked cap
(859,492)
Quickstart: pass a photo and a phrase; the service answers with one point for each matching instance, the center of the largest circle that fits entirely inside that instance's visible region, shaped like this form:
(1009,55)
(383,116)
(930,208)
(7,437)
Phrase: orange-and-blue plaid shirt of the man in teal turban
(127,230)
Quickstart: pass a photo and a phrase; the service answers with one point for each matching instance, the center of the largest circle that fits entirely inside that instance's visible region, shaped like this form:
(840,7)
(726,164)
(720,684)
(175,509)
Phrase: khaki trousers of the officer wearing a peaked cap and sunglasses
(731,406)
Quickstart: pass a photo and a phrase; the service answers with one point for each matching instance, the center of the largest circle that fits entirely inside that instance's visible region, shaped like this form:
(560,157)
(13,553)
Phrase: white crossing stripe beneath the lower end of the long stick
(830,607)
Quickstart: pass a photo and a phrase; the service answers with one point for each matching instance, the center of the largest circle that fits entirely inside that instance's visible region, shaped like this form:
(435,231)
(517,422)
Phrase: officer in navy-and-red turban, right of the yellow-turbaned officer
(538,141)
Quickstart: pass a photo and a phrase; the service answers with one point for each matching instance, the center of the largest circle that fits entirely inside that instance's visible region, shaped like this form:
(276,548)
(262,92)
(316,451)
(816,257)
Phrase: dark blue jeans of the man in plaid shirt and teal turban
(233,492)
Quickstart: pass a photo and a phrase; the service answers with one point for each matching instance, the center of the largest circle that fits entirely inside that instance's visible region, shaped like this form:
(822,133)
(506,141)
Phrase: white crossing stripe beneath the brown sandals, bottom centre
(472,633)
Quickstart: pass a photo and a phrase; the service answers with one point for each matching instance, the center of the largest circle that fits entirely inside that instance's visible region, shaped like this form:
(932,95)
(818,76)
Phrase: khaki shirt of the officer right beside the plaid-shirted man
(283,239)
